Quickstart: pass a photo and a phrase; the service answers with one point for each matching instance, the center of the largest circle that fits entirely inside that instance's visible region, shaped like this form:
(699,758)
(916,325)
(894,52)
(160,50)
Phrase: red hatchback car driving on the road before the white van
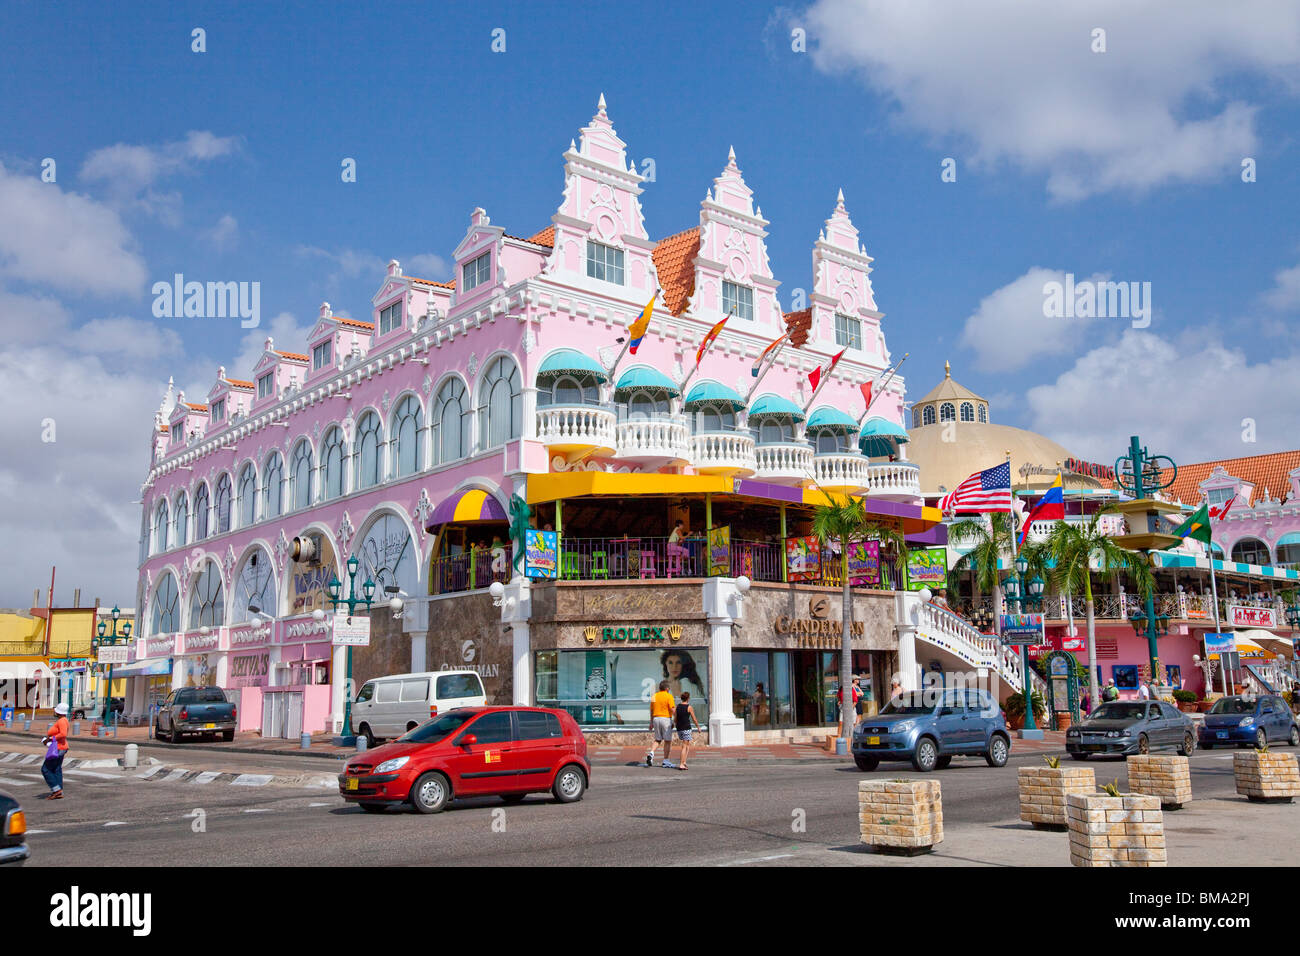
(506,752)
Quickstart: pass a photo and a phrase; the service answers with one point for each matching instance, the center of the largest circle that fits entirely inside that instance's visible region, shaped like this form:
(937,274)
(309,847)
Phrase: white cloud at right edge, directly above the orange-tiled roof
(1186,400)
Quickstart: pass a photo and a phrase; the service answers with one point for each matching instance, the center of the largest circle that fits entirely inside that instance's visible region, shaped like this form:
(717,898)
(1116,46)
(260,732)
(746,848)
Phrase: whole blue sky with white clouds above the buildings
(226,166)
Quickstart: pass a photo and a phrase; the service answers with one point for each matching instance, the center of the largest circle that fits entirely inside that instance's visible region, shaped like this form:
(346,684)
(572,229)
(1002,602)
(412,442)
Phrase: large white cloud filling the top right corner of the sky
(1009,81)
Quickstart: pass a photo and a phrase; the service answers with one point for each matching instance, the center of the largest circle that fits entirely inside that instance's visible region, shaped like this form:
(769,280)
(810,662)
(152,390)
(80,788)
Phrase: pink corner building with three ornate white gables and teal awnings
(405,438)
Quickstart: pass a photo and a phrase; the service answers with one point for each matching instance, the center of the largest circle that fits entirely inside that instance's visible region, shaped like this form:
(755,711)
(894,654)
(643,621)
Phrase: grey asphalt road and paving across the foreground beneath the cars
(785,815)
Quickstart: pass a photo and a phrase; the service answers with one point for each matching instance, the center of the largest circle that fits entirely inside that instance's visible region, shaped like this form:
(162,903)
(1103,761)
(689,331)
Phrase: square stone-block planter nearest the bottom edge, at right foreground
(1128,830)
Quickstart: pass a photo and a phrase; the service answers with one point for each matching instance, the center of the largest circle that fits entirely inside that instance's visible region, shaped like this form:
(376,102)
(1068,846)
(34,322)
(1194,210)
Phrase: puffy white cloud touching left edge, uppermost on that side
(64,240)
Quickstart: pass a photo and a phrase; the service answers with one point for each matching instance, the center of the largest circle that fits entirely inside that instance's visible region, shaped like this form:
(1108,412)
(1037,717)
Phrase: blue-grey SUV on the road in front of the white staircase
(931,728)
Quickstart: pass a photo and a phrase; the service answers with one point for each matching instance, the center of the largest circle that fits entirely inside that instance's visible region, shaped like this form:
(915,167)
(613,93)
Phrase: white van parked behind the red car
(391,707)
